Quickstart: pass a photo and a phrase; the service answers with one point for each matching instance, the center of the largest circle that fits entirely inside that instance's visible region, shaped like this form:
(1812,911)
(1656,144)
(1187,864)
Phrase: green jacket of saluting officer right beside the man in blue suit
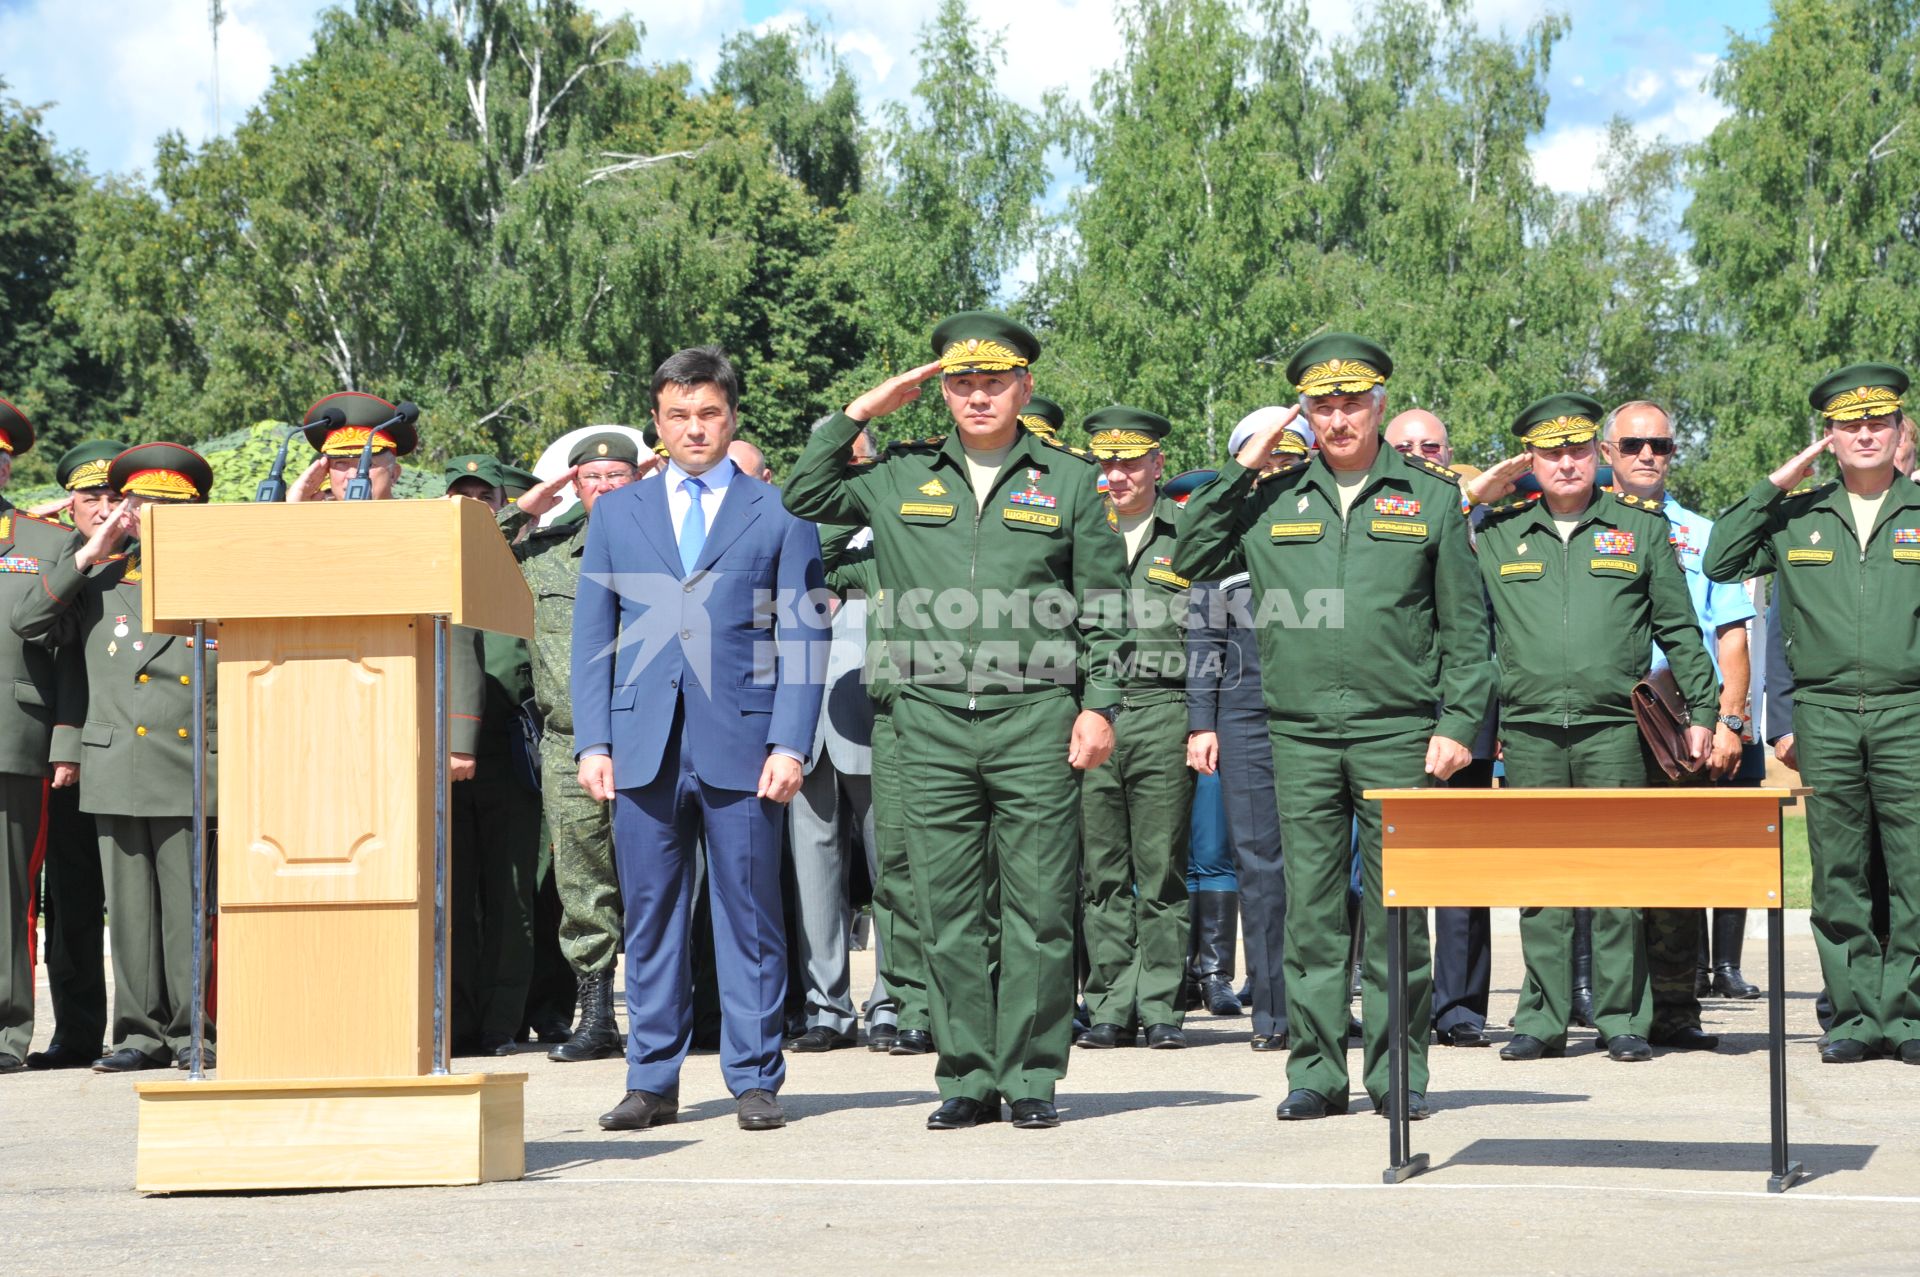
(984,608)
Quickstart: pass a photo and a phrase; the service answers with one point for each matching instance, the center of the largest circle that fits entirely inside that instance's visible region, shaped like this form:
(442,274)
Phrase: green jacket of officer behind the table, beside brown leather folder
(1575,619)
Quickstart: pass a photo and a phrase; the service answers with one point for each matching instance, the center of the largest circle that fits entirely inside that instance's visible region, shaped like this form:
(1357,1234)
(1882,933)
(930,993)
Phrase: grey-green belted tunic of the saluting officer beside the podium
(133,731)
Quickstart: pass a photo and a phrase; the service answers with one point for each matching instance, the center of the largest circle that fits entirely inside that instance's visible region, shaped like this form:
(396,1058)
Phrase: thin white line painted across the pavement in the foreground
(1259,1186)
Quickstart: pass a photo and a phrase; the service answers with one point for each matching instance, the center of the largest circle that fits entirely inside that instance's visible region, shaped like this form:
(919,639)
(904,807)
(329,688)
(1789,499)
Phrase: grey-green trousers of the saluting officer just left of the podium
(147,863)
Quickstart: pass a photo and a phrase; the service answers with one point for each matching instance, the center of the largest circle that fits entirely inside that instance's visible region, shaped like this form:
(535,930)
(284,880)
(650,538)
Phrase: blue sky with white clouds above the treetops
(122,72)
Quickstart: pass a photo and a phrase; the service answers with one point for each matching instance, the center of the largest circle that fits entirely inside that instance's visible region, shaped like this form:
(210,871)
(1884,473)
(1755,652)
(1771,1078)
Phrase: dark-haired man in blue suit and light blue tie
(696,637)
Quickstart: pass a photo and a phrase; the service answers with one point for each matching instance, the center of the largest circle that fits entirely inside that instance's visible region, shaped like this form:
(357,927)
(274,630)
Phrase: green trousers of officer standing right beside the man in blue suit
(996,781)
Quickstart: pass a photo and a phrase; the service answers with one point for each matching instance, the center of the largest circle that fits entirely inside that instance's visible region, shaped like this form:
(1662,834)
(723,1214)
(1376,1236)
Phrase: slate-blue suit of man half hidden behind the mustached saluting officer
(1224,698)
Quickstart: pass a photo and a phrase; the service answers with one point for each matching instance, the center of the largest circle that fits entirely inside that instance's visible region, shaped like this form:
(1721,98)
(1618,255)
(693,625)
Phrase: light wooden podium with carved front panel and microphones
(333,809)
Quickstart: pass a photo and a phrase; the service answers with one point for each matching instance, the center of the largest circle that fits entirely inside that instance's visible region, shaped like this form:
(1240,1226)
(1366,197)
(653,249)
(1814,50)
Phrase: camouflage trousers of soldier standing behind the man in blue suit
(583,859)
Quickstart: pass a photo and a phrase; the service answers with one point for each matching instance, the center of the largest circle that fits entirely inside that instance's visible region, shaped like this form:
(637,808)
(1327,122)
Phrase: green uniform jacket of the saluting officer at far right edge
(1850,619)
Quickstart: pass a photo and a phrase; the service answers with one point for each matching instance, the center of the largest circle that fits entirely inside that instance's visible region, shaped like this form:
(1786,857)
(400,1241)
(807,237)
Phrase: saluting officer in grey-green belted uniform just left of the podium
(133,748)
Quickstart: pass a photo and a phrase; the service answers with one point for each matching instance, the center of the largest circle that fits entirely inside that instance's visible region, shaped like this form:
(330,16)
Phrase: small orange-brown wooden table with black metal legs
(1691,848)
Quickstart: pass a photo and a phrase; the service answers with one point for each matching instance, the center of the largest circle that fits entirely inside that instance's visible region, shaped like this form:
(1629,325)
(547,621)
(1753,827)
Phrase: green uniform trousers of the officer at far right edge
(1861,769)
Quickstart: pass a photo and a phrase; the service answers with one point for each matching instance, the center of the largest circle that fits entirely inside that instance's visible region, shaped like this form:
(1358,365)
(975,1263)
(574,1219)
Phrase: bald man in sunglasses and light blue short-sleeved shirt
(1641,445)
